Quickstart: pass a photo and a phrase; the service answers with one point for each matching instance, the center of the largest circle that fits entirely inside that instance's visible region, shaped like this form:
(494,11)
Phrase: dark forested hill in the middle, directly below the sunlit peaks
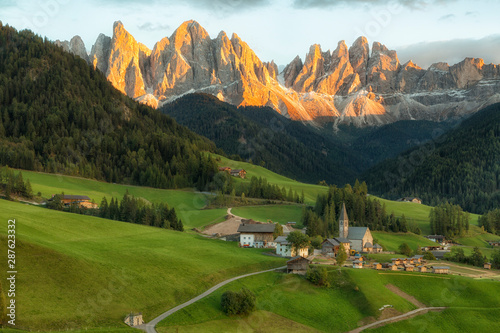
(261,135)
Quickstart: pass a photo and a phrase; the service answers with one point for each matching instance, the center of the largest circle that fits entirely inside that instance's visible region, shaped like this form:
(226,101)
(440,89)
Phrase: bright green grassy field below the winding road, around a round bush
(291,297)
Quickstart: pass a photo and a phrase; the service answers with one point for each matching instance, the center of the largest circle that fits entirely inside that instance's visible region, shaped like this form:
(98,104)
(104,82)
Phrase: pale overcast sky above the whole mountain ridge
(425,31)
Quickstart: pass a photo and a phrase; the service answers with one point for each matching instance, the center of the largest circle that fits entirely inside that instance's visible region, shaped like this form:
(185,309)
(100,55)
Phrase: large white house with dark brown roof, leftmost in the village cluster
(256,234)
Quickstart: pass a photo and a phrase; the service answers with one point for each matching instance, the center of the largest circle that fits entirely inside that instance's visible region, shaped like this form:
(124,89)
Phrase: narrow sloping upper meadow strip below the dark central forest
(310,191)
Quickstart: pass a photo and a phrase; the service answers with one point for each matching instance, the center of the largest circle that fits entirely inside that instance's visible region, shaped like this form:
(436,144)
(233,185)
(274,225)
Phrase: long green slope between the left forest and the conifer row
(188,204)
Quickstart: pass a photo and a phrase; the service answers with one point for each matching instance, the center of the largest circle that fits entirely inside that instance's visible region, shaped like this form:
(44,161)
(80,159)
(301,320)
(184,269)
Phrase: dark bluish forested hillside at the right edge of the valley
(463,167)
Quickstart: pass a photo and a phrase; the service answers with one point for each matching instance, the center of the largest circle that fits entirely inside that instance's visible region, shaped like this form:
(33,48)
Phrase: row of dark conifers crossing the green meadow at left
(129,209)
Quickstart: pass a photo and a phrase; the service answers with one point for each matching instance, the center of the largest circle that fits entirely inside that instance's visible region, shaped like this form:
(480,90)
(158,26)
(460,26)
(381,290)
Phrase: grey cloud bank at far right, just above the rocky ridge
(452,51)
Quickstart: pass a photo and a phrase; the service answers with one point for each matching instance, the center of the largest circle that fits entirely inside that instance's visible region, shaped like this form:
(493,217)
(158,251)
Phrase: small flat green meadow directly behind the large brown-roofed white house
(276,213)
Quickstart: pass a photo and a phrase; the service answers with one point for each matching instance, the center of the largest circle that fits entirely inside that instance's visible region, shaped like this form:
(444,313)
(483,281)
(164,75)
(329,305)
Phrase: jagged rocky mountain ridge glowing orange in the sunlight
(348,85)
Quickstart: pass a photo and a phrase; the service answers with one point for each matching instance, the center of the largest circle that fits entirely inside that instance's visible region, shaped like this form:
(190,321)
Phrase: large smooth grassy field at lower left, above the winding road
(91,272)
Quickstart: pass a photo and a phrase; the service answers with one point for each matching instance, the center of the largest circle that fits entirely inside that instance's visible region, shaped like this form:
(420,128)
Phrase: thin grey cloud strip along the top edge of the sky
(413,4)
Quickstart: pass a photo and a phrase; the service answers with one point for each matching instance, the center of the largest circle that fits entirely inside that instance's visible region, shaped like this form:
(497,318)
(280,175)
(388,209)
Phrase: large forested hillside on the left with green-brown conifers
(60,115)
